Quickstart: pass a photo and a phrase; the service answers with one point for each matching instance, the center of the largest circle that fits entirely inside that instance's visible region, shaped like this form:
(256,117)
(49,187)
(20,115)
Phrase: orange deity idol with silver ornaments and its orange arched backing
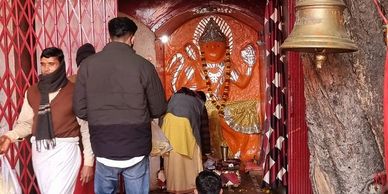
(220,55)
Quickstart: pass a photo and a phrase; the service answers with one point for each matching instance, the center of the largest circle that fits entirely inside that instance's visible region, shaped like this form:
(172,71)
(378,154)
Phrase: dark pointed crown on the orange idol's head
(212,33)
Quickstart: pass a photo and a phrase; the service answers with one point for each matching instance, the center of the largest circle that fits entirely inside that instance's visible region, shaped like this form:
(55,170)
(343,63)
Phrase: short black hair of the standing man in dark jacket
(121,26)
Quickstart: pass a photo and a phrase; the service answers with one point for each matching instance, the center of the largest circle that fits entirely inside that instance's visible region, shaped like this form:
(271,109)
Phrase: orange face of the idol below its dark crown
(214,51)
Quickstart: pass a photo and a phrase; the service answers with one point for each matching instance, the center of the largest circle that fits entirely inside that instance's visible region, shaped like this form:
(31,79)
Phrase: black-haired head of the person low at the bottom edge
(208,182)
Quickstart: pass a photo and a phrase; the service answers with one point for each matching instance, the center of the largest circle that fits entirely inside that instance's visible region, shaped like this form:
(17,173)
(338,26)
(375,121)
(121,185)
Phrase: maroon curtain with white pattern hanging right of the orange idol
(275,136)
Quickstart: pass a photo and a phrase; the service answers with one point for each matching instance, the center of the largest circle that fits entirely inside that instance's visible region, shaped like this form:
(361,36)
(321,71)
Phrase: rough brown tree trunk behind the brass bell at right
(344,107)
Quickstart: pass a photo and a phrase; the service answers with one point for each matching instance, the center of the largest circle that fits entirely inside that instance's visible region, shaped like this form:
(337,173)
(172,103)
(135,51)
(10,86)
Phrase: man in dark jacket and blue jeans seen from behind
(119,92)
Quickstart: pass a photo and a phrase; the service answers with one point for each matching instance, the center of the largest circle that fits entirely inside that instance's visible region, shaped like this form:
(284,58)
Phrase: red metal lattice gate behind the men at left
(26,28)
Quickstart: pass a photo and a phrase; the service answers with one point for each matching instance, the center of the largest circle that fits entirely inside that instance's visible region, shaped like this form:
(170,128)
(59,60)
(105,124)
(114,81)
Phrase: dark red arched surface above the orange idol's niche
(167,15)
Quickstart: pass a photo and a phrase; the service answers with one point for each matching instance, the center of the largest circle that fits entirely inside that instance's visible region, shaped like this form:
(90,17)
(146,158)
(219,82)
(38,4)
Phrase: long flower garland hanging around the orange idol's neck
(220,105)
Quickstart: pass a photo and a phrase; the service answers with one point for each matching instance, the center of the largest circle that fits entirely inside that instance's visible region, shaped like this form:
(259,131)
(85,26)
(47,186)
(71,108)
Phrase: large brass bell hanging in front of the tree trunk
(319,28)
